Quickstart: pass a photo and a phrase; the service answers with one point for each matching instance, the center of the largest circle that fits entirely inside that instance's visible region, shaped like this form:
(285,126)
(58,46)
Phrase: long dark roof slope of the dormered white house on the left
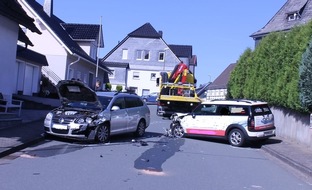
(55,24)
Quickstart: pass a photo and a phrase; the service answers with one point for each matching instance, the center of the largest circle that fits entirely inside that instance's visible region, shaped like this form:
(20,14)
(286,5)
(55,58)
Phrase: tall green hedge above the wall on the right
(271,71)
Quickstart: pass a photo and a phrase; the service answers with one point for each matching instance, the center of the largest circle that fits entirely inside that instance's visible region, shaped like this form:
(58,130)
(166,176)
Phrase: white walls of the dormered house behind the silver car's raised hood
(63,62)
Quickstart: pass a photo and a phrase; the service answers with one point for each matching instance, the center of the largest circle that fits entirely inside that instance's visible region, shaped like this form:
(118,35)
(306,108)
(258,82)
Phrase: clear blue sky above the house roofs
(218,31)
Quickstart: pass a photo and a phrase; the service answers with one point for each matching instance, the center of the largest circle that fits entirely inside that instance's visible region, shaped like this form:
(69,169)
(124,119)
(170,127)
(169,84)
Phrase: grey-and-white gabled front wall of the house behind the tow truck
(144,67)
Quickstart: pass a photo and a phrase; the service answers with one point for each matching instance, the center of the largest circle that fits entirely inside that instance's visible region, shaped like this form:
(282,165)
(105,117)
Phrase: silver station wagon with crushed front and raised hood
(85,114)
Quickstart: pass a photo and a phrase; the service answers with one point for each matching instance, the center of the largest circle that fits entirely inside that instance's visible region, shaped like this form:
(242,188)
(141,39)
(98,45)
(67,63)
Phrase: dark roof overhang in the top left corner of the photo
(14,11)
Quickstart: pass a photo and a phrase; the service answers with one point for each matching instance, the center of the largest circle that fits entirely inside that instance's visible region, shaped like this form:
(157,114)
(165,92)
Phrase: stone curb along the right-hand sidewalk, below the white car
(288,161)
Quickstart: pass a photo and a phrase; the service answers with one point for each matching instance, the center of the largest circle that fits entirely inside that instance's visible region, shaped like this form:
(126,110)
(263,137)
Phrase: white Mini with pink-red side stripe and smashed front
(238,121)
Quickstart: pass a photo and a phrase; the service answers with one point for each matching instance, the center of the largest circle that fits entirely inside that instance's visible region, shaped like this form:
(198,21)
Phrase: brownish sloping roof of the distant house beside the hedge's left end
(222,80)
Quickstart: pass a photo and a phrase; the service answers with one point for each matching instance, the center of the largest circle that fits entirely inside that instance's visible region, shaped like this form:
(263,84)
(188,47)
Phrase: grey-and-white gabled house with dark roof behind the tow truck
(136,62)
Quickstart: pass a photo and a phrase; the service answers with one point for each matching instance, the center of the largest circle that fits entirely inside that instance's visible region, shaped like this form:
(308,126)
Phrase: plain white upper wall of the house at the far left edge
(9,35)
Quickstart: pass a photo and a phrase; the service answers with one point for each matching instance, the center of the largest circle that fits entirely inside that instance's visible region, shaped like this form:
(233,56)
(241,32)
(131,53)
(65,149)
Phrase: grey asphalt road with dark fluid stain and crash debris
(153,162)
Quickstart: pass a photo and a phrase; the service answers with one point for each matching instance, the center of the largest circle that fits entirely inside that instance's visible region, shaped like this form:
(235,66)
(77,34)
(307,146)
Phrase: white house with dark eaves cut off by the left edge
(18,72)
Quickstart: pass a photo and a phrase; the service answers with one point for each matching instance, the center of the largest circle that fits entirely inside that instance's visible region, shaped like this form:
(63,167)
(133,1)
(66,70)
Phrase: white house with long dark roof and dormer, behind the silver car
(70,48)
